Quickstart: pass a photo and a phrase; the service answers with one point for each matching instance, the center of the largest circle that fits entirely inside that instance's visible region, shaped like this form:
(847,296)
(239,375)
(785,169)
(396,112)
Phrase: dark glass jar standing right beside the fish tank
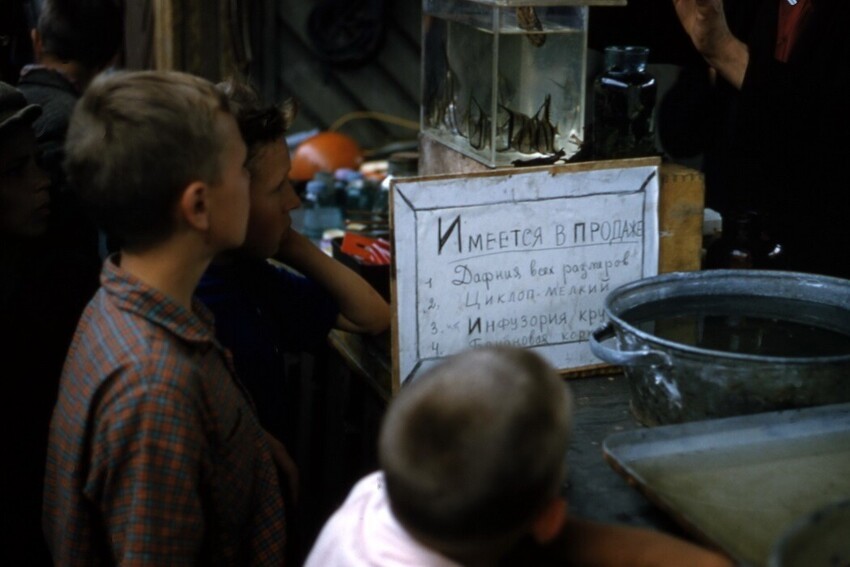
(624,105)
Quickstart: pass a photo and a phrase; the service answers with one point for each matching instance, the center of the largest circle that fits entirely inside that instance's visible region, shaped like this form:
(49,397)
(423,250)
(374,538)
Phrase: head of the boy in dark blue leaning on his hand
(272,196)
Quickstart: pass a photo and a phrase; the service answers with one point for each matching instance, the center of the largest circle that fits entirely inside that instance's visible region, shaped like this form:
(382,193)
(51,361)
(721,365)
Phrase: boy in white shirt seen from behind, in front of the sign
(473,459)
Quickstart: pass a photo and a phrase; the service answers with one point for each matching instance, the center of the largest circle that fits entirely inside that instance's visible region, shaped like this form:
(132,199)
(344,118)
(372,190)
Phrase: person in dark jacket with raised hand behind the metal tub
(781,133)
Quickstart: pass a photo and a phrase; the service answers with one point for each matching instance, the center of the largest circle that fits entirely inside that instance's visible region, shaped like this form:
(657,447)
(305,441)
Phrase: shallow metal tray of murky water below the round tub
(740,482)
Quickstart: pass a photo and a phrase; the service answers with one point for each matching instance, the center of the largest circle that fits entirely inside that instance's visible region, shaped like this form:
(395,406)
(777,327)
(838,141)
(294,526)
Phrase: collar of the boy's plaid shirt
(133,295)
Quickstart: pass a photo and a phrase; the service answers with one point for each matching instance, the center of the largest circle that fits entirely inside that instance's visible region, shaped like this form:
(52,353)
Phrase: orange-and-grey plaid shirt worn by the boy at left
(155,454)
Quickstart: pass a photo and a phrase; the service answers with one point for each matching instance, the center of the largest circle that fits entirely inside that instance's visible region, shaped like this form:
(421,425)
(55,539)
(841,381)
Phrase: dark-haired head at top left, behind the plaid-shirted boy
(88,32)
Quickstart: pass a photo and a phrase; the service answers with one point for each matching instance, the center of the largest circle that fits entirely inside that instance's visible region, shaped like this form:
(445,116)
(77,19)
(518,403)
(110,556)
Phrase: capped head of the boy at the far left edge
(24,198)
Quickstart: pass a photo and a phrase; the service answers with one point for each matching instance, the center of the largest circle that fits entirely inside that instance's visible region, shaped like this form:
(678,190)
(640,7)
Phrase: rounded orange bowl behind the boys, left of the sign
(326,151)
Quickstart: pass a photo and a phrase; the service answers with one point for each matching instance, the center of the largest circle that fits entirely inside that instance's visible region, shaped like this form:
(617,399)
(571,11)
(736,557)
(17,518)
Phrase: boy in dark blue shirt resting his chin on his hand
(264,313)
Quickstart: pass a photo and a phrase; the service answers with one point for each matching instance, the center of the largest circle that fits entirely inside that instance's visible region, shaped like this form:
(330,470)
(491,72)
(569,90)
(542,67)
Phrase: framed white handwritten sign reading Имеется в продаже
(518,257)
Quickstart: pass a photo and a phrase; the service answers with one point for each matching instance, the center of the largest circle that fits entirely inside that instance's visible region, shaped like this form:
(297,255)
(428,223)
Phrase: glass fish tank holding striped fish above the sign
(503,81)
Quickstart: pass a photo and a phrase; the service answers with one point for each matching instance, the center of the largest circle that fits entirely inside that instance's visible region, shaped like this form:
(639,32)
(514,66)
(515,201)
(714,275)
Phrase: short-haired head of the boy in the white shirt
(473,451)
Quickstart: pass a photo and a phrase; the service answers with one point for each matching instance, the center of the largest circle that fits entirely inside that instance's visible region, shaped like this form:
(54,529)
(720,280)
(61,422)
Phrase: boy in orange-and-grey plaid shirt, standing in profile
(155,454)
